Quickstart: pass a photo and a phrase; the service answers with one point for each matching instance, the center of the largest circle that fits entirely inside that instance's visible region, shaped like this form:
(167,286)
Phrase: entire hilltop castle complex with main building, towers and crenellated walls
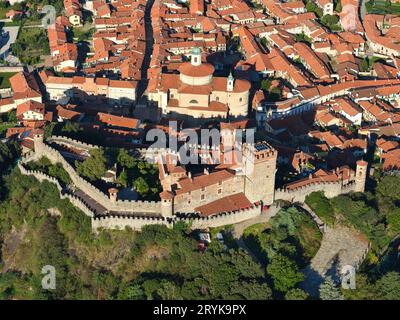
(225,193)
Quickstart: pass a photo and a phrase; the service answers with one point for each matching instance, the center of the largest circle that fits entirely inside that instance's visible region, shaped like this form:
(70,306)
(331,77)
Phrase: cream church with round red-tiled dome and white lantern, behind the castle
(196,93)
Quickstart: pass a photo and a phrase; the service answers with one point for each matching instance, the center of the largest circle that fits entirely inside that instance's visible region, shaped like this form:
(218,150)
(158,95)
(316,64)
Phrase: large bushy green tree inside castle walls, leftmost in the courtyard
(94,166)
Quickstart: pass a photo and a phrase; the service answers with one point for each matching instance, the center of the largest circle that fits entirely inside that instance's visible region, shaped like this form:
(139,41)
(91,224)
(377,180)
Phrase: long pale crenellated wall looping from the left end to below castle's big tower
(138,213)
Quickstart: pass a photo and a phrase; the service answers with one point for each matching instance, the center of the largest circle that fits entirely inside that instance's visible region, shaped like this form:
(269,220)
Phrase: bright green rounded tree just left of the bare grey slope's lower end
(284,273)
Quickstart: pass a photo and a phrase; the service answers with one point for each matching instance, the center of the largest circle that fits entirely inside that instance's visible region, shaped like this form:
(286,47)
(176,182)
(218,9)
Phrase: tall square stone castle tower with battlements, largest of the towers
(260,167)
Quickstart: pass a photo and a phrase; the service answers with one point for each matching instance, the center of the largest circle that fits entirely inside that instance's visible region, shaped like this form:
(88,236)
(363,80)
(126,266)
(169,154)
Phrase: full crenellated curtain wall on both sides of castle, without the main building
(136,214)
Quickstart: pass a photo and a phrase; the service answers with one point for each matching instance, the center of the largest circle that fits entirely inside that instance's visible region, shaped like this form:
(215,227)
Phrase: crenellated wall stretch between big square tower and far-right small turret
(331,190)
